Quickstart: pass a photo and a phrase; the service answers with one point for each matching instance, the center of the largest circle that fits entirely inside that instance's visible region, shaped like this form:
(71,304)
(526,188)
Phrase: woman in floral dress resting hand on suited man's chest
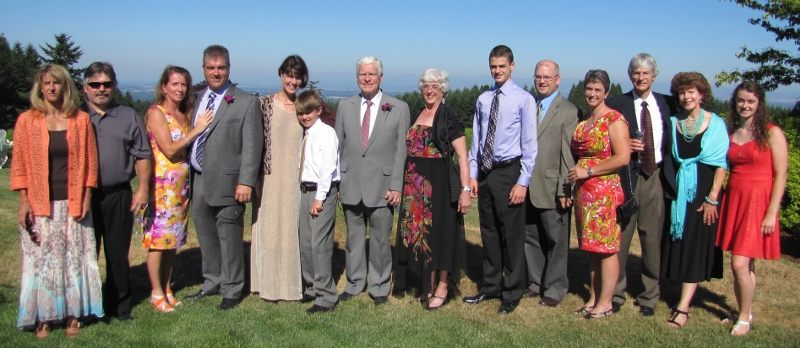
(166,216)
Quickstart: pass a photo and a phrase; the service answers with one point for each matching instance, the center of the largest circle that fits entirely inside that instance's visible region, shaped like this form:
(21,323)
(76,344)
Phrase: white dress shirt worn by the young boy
(321,164)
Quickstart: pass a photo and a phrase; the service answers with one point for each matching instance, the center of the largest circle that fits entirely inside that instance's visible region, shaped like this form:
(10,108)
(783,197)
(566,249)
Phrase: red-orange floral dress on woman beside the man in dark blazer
(597,198)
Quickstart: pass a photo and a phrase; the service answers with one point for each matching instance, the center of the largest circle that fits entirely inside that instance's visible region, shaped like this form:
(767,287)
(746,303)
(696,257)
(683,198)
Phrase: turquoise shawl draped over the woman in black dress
(714,151)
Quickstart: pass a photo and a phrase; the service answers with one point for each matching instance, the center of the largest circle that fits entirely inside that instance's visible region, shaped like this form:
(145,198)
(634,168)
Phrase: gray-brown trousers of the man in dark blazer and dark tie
(649,222)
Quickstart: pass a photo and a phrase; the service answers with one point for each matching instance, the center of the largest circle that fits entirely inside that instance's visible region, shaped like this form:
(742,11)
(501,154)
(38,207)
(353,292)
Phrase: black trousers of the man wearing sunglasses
(113,223)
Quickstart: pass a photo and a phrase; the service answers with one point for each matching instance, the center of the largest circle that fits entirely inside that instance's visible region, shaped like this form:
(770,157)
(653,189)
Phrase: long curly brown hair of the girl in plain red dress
(758,128)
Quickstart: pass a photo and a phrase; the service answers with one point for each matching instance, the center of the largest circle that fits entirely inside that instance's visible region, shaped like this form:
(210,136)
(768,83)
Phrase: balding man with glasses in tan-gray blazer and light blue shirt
(548,209)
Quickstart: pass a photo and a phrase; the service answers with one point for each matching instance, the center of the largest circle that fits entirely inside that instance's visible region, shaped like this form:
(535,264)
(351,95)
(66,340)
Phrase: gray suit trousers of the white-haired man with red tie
(380,253)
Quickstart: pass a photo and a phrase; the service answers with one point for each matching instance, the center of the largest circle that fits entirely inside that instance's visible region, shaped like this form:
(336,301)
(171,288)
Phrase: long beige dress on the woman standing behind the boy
(275,272)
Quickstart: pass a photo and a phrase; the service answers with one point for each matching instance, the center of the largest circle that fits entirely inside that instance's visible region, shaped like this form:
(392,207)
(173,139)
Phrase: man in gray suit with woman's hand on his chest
(225,160)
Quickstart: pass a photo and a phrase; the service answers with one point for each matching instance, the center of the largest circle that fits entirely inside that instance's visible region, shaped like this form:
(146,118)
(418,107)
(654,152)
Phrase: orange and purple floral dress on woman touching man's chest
(166,217)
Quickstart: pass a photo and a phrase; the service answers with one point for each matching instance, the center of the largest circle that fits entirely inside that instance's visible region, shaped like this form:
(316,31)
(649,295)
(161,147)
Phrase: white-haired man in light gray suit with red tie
(372,130)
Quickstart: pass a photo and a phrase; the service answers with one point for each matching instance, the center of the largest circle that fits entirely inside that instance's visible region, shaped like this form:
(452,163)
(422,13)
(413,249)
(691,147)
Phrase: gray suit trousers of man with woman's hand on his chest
(219,231)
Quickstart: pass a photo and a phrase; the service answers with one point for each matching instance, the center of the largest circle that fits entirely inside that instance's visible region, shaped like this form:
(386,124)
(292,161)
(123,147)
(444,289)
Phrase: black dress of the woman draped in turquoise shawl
(694,257)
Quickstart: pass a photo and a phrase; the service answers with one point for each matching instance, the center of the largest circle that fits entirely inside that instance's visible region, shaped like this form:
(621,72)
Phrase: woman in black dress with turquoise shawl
(697,163)
